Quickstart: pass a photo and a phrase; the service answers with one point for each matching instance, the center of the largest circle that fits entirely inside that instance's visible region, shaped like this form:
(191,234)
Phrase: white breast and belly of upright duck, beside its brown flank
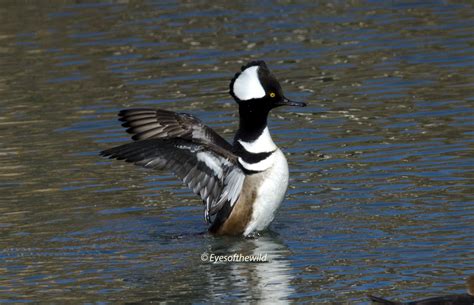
(270,193)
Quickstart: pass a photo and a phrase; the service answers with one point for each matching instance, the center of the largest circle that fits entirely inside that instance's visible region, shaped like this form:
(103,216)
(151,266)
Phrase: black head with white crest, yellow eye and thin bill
(255,87)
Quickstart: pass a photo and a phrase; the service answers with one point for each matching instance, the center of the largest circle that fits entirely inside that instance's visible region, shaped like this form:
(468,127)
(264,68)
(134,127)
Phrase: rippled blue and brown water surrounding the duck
(381,184)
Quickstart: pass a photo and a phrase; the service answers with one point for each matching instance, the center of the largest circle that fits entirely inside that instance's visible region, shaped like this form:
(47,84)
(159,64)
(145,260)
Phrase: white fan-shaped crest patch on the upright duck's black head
(247,86)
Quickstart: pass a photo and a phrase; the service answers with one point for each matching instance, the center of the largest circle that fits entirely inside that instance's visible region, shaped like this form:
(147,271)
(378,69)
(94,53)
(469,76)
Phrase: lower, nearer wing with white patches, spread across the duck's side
(210,171)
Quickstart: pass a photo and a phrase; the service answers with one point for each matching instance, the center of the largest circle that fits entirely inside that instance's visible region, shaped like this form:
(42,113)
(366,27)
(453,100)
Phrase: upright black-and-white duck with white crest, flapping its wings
(243,184)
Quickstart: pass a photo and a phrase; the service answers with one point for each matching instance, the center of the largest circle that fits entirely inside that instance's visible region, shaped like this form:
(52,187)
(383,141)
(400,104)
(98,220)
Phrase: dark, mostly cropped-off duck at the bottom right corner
(454,299)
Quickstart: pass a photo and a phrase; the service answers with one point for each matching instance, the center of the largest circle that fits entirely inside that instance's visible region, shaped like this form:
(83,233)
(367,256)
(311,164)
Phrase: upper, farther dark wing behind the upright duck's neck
(145,123)
